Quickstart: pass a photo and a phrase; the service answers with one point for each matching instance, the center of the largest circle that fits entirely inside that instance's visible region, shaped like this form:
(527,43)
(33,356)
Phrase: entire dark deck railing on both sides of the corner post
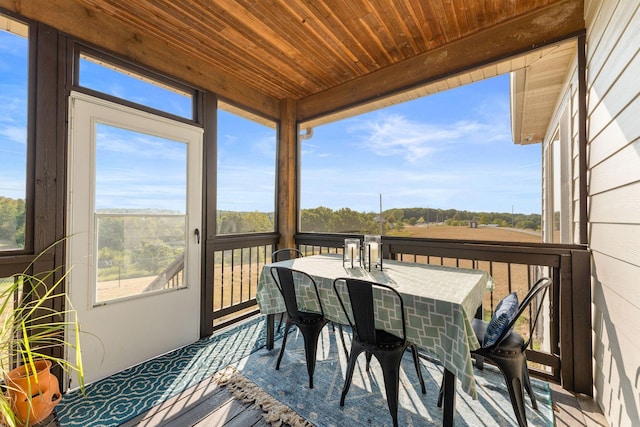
(561,349)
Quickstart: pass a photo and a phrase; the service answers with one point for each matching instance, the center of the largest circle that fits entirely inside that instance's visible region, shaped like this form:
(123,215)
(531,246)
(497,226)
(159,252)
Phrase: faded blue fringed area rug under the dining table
(366,403)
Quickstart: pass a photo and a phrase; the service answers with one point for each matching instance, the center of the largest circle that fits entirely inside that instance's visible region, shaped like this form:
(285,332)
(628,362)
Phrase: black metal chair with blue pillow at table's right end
(508,352)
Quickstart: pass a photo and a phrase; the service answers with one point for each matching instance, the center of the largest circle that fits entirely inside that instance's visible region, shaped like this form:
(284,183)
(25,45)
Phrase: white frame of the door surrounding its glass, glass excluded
(123,333)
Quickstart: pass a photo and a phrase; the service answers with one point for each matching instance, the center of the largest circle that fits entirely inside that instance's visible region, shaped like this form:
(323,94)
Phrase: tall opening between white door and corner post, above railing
(246,174)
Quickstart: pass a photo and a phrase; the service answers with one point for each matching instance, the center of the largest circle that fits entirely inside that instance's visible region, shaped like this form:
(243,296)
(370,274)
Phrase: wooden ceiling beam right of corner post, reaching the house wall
(555,22)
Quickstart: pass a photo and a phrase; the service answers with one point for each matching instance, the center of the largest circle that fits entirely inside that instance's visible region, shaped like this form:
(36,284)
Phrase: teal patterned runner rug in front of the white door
(126,394)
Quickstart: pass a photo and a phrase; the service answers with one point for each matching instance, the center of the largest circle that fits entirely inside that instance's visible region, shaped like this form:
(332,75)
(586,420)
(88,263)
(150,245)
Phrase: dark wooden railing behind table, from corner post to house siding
(563,336)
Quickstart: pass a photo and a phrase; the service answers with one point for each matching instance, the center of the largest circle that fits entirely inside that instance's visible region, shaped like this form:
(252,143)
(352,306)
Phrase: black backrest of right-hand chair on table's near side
(362,294)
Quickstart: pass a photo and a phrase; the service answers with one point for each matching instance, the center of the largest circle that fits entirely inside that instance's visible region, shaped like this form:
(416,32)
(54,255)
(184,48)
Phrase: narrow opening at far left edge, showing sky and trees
(14,47)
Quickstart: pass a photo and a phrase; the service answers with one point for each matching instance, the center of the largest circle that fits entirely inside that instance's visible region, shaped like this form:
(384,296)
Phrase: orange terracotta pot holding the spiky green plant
(45,395)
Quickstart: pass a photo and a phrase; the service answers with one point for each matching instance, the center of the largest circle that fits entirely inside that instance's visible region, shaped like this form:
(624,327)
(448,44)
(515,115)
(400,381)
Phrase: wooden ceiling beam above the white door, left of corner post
(102,30)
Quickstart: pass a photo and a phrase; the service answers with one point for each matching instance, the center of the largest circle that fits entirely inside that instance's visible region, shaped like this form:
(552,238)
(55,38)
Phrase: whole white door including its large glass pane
(134,214)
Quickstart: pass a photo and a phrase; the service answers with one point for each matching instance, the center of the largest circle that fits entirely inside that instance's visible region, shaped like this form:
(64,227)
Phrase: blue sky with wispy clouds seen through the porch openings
(452,150)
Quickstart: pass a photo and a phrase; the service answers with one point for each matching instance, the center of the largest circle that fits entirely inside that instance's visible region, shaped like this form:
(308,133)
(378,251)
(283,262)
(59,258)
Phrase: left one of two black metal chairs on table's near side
(309,323)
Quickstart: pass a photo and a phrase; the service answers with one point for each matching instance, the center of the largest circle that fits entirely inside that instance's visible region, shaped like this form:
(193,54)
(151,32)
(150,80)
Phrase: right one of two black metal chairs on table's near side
(387,348)
